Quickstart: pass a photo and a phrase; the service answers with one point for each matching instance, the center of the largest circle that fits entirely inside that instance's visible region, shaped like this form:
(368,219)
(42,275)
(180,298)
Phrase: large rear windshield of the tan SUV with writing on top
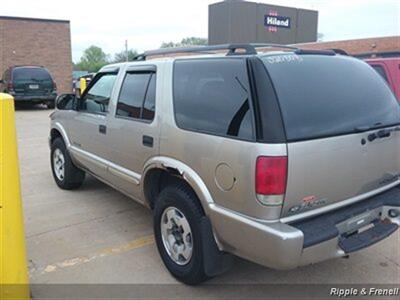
(323,95)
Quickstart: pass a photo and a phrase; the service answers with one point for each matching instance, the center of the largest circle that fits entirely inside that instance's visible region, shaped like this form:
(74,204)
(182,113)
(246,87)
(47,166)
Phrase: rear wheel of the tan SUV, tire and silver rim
(177,218)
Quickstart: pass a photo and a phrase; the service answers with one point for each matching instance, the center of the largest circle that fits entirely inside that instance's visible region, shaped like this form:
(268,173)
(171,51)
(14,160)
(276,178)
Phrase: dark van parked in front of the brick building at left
(30,84)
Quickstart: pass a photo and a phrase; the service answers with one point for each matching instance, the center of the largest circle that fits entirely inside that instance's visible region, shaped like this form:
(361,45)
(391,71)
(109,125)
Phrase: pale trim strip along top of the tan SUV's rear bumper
(337,205)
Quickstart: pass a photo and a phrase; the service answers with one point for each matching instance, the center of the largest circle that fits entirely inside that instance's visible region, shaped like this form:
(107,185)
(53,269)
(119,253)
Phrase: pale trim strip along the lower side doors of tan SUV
(114,169)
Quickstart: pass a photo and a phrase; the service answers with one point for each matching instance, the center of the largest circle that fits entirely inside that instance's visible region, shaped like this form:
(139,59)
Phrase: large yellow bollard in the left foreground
(13,266)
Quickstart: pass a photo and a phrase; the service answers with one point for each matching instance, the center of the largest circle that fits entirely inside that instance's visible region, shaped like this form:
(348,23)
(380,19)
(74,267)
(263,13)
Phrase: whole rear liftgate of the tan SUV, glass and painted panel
(333,108)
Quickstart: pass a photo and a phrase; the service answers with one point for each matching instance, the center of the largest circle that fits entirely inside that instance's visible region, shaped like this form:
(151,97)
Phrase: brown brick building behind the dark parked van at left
(43,42)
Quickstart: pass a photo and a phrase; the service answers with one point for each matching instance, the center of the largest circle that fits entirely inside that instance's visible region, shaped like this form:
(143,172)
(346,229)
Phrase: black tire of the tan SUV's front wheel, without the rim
(73,177)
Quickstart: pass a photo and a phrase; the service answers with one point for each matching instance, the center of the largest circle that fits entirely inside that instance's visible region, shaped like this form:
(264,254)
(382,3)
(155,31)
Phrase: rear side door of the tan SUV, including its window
(133,130)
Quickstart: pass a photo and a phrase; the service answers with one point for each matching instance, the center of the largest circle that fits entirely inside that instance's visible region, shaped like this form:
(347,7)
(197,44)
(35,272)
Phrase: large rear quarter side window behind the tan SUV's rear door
(212,96)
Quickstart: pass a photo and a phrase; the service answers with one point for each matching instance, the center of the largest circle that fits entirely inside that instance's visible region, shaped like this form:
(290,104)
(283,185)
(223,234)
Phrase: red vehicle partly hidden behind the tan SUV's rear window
(387,64)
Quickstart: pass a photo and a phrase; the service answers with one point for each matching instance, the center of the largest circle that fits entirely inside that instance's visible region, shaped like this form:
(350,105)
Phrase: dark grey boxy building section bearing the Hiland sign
(235,21)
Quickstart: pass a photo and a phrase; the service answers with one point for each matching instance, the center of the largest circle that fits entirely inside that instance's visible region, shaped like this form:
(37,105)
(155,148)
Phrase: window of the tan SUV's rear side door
(137,96)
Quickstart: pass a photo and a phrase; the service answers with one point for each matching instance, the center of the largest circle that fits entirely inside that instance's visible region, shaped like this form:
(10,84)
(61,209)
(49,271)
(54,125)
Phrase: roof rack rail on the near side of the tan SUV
(234,49)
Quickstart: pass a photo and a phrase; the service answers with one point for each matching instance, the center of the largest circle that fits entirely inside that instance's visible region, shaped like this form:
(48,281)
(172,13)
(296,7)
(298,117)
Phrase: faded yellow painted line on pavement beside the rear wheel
(135,244)
